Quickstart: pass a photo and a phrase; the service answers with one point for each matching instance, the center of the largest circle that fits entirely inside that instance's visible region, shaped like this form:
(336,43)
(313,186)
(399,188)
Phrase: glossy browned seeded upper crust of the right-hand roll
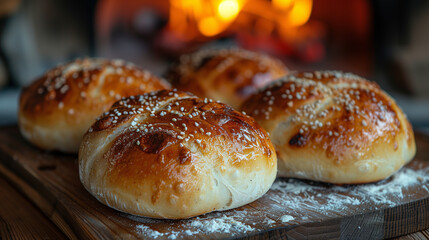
(340,114)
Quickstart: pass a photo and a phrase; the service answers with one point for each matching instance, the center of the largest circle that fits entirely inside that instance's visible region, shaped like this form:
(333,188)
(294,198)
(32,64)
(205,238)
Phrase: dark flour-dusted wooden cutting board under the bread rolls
(291,209)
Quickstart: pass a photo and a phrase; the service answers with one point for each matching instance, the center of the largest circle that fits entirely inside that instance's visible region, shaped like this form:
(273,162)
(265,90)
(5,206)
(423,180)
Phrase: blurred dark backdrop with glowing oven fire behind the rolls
(386,41)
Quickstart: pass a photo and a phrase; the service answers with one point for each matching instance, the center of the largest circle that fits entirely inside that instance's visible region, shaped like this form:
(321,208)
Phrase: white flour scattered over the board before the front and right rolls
(298,201)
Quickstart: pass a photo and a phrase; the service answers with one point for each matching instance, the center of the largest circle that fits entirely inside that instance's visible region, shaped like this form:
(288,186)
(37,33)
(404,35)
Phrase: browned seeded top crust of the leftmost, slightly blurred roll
(86,84)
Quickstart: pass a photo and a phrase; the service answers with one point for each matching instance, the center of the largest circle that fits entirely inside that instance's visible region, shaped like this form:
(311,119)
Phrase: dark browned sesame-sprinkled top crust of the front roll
(173,117)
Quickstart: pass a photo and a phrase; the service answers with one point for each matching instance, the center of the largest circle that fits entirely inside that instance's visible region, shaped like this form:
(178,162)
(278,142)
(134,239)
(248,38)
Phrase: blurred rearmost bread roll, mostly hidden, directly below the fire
(228,75)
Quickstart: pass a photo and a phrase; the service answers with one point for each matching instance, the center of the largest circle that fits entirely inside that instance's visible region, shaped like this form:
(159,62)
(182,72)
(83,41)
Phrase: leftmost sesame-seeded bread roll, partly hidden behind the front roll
(59,107)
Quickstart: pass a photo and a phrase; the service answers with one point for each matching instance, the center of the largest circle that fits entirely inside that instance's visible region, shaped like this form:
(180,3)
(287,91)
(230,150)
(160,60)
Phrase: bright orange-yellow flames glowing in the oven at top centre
(190,19)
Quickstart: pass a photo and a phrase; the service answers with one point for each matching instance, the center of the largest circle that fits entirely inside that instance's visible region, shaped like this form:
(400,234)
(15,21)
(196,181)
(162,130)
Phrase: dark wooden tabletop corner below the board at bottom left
(19,219)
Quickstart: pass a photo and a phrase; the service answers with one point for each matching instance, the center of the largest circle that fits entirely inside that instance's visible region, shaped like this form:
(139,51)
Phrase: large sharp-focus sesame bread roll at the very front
(168,154)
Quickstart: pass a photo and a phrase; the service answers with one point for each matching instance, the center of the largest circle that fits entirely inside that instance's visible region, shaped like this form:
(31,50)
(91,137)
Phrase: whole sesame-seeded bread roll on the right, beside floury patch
(333,127)
